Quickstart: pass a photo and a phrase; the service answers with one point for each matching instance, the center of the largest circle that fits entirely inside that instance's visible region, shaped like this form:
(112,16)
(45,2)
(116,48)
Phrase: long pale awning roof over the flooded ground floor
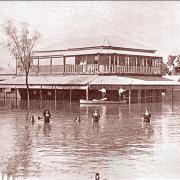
(82,80)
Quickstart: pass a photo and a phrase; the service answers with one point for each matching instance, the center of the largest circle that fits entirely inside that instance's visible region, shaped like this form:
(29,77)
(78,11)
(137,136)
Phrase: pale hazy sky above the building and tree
(62,24)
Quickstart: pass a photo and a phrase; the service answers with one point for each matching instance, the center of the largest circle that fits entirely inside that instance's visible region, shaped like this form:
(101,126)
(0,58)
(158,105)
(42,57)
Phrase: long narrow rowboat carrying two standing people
(101,101)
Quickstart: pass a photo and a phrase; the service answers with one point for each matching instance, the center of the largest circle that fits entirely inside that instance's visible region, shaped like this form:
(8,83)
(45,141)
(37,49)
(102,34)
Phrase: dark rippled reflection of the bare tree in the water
(19,161)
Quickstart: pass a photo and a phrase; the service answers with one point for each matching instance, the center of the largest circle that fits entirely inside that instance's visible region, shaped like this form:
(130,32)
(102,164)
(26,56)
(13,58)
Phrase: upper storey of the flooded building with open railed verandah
(102,60)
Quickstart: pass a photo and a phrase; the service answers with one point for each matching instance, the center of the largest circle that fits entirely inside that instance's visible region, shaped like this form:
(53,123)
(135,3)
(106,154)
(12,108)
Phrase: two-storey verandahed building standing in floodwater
(79,73)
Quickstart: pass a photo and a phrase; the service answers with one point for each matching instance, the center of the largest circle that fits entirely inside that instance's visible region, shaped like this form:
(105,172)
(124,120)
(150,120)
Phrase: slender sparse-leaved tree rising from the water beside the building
(20,44)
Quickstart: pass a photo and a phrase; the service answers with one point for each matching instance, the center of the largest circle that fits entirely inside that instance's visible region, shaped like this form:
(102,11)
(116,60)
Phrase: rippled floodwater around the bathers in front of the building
(118,147)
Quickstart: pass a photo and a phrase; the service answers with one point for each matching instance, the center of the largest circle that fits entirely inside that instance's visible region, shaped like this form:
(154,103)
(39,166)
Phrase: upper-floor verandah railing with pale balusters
(92,69)
